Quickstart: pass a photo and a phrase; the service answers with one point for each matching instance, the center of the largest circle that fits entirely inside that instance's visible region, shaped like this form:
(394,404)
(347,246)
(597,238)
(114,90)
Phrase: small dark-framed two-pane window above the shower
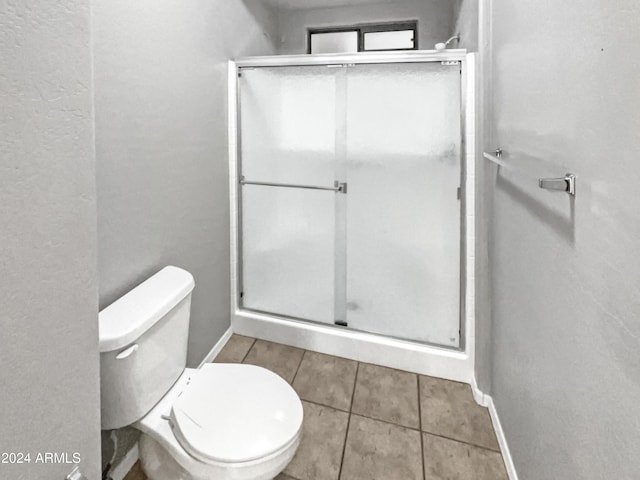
(364,38)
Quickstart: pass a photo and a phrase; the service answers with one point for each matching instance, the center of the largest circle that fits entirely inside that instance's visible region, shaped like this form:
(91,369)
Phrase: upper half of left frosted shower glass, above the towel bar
(287,117)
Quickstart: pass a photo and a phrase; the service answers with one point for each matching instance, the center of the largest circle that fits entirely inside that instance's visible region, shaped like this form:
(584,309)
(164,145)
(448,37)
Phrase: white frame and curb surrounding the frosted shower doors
(447,362)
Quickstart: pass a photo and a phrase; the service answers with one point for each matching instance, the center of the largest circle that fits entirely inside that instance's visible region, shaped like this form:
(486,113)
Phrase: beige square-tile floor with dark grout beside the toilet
(366,422)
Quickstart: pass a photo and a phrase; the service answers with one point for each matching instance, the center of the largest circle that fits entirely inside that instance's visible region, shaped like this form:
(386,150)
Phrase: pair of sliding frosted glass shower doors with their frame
(348,192)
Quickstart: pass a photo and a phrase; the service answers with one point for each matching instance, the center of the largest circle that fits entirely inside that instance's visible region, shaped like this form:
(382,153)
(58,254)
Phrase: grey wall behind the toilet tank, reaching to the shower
(161,145)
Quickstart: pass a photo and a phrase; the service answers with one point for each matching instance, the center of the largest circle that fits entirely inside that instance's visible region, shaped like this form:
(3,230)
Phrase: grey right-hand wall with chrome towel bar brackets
(566,272)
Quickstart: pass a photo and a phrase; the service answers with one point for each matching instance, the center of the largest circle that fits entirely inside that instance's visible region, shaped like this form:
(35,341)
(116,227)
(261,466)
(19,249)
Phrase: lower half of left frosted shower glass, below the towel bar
(288,252)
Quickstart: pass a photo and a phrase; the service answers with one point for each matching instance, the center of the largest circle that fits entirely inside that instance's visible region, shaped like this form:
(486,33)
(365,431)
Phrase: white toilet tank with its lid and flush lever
(143,345)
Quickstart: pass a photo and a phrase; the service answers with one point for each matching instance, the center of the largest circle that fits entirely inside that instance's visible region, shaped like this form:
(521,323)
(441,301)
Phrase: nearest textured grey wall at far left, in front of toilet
(49,399)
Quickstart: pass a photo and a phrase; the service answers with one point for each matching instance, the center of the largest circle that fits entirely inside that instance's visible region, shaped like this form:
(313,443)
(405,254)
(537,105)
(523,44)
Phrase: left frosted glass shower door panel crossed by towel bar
(287,117)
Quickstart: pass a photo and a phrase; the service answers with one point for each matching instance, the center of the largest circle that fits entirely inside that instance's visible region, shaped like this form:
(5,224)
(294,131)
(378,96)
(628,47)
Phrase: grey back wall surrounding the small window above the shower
(435,21)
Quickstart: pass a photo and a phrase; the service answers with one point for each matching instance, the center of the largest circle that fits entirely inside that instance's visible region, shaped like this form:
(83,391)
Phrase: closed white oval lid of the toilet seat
(235,413)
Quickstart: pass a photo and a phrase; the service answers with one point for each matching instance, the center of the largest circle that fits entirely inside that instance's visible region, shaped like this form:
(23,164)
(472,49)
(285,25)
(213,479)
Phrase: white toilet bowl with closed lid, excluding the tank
(248,430)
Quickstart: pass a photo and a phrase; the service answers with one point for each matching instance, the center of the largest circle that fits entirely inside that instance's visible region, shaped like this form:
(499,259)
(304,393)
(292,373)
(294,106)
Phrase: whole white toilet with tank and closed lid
(217,422)
